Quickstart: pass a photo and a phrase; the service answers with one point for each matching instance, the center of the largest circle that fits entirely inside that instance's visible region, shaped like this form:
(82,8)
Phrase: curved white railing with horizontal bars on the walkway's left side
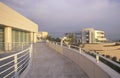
(12,66)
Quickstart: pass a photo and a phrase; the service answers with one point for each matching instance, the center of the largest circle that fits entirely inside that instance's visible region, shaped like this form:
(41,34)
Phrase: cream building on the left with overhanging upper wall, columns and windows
(15,28)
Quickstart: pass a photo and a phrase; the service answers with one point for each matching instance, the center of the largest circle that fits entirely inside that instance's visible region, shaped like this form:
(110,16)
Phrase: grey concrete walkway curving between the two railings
(49,64)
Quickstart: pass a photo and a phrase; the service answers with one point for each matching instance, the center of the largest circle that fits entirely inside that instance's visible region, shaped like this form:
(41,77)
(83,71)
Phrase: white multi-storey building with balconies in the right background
(89,35)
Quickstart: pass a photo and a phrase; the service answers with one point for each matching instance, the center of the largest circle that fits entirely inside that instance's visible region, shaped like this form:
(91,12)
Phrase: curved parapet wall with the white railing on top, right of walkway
(83,58)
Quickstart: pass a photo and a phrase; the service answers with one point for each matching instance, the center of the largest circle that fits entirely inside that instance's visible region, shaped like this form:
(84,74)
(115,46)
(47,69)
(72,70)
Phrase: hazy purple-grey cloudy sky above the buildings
(60,16)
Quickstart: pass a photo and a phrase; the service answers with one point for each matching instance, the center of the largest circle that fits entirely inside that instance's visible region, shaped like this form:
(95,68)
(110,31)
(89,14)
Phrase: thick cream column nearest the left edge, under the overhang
(8,38)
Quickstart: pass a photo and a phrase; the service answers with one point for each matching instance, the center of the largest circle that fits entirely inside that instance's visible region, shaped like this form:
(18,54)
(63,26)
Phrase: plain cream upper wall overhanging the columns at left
(11,18)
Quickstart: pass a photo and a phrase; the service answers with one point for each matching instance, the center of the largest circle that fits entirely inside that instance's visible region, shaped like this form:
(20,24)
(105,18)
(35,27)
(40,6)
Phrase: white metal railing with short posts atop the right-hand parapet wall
(115,66)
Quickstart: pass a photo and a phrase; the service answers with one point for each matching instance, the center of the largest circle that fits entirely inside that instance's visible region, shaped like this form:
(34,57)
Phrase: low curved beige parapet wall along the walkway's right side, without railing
(87,63)
